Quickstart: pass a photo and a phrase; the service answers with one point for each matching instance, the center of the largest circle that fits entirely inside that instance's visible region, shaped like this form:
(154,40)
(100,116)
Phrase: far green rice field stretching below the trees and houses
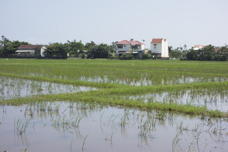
(166,72)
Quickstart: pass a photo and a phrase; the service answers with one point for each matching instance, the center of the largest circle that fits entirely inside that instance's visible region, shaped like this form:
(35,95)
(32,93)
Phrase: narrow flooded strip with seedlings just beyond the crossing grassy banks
(137,79)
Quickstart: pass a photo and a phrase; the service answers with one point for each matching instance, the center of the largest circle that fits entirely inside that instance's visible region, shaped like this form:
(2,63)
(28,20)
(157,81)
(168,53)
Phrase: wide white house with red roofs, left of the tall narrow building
(131,46)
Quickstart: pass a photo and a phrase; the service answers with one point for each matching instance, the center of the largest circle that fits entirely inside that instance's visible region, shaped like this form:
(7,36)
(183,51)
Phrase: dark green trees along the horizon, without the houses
(93,50)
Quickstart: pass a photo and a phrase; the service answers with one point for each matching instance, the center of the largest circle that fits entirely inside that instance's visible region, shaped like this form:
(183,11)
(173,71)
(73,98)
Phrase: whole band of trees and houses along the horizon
(123,49)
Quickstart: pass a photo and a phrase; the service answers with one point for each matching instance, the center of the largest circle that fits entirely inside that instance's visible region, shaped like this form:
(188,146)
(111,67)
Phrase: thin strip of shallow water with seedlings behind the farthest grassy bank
(143,80)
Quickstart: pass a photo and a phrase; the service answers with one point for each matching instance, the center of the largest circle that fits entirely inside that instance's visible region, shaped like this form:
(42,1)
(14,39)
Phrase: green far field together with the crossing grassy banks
(115,79)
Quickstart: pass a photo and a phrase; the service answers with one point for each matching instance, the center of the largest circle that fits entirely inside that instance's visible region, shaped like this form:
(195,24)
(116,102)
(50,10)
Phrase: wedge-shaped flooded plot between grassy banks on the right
(212,99)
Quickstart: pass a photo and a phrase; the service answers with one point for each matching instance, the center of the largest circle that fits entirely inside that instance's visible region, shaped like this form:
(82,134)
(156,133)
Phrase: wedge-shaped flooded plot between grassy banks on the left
(14,88)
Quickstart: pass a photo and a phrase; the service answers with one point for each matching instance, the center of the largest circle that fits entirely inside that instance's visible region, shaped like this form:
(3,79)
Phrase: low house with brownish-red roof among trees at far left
(31,51)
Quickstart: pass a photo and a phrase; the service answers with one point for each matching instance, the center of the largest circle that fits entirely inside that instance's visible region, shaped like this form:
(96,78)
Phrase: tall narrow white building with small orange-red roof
(159,47)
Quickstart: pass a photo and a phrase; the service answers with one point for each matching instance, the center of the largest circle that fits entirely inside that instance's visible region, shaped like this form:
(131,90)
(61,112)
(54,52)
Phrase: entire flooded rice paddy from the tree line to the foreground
(78,126)
